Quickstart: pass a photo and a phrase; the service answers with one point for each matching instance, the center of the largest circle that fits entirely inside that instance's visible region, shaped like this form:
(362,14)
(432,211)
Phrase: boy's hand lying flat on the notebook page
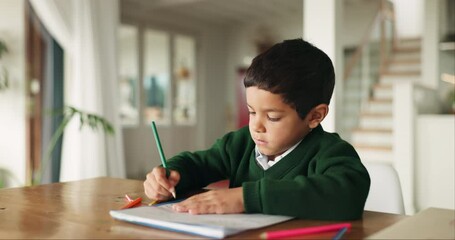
(220,201)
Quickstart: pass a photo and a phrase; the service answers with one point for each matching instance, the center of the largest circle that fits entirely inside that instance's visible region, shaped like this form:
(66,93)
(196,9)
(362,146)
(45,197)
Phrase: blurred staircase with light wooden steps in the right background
(373,136)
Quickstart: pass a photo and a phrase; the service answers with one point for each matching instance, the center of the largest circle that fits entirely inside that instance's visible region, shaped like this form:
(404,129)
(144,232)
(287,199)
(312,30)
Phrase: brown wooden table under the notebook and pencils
(80,209)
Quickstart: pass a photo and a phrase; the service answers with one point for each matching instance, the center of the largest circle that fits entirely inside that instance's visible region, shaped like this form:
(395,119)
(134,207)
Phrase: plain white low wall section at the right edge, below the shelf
(435,161)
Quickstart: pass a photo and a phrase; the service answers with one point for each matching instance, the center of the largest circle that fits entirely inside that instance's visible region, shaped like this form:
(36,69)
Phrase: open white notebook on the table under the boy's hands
(209,225)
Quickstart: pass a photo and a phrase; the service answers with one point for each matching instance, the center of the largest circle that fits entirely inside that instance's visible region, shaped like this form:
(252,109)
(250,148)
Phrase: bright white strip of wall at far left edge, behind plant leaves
(12,100)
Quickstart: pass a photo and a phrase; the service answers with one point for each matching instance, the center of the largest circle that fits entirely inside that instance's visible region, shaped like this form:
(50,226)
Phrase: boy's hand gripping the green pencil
(159,187)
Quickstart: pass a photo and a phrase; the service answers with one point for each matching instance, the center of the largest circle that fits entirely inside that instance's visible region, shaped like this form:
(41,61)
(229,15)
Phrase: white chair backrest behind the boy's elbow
(385,190)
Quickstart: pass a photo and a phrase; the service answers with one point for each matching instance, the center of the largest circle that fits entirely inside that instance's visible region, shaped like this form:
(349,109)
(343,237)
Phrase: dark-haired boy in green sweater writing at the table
(284,163)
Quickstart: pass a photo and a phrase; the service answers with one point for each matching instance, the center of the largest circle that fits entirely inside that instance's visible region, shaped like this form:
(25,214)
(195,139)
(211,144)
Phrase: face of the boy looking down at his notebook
(274,125)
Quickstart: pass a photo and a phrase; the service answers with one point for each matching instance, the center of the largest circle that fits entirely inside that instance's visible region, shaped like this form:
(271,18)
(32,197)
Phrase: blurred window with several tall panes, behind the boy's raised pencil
(168,72)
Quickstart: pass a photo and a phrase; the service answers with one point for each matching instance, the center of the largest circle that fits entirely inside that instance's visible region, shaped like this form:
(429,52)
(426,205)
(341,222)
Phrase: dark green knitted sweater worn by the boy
(322,178)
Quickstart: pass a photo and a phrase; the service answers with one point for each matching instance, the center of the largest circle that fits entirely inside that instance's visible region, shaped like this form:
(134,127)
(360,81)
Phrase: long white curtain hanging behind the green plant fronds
(86,29)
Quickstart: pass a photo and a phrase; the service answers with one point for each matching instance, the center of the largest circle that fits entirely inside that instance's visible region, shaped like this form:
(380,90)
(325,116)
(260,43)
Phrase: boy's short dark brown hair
(301,73)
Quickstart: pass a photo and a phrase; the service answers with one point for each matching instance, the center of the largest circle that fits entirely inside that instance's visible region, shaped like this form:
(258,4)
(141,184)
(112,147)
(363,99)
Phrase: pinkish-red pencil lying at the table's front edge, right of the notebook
(304,231)
